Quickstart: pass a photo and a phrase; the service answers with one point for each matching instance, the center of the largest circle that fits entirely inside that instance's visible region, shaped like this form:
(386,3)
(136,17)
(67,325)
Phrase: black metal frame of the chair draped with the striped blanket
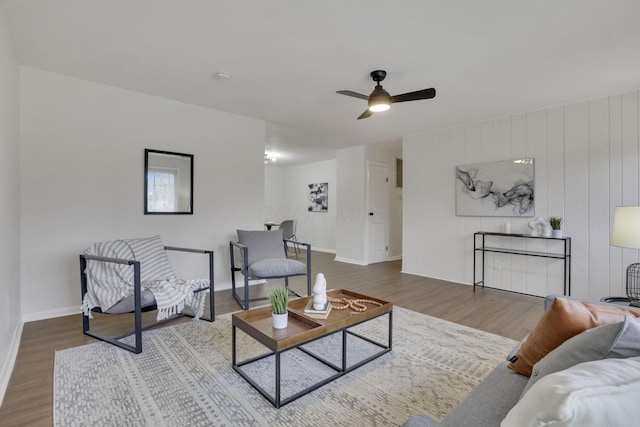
(137,299)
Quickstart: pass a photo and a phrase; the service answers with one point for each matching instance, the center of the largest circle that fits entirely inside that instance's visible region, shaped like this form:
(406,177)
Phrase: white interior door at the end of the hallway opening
(377,201)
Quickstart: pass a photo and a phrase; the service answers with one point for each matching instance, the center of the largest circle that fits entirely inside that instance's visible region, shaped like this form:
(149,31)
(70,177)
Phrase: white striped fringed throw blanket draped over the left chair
(108,283)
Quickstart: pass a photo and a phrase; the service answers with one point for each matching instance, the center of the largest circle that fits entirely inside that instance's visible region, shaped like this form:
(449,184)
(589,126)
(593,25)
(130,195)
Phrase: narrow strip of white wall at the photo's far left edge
(10,322)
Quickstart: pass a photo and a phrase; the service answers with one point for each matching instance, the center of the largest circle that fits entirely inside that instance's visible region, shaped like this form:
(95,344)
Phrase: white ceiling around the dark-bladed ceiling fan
(288,58)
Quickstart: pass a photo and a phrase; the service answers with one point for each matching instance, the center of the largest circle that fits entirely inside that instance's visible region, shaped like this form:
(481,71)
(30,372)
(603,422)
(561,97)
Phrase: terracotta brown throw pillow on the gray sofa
(563,319)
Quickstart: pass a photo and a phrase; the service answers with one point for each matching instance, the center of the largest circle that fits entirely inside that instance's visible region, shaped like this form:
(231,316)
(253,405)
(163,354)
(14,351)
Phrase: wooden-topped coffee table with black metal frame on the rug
(302,330)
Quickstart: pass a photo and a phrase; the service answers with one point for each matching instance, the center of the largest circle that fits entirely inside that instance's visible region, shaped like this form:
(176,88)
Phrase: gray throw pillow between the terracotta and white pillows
(614,340)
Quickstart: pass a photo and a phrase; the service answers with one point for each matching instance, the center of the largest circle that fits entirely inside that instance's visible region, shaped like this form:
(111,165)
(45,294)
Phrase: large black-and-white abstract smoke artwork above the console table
(504,188)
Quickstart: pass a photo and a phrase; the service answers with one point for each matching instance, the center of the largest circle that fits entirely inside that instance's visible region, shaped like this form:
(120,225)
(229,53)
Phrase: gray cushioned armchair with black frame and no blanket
(263,255)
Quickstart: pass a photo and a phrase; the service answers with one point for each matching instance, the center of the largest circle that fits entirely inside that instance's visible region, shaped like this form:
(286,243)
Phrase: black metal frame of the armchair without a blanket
(244,302)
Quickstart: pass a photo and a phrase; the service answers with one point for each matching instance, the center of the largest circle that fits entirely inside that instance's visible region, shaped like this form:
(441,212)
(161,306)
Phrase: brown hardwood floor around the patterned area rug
(29,397)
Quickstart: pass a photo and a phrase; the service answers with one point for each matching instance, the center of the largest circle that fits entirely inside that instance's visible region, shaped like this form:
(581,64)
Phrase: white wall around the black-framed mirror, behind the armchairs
(82,157)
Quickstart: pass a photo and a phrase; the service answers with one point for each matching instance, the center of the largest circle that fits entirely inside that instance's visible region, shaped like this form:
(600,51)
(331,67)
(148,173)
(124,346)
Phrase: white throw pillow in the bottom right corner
(598,393)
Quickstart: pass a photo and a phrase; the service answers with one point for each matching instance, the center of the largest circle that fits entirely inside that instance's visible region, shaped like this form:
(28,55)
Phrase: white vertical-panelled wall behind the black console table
(586,163)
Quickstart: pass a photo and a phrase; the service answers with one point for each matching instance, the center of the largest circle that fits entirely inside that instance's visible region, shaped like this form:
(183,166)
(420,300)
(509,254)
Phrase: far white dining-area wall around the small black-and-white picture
(287,197)
